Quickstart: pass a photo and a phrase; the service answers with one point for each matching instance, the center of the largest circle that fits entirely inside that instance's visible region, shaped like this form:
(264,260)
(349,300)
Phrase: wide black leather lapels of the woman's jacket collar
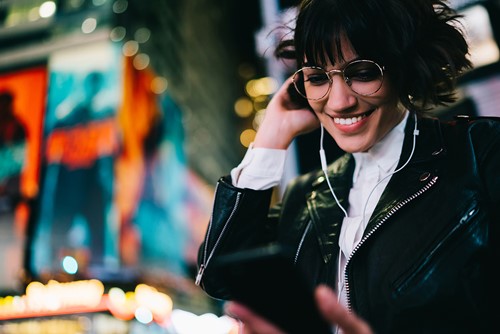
(326,215)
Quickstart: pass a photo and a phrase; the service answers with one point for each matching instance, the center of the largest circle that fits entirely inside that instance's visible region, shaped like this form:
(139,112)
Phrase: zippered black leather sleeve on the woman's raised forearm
(240,220)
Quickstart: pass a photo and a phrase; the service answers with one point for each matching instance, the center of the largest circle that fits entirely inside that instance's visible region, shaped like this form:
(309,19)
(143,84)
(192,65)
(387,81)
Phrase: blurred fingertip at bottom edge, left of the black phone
(253,323)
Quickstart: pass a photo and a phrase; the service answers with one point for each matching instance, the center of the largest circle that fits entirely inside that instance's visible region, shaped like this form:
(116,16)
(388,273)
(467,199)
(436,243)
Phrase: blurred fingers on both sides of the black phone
(328,305)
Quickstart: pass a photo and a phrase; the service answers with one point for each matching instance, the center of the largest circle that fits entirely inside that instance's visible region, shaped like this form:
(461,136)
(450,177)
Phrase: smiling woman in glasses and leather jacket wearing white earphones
(404,227)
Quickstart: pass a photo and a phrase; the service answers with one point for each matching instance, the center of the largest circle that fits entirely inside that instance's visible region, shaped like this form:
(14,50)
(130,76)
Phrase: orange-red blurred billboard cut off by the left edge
(21,117)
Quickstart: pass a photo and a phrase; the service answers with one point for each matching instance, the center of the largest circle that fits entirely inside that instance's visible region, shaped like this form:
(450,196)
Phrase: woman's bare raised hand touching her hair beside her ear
(284,120)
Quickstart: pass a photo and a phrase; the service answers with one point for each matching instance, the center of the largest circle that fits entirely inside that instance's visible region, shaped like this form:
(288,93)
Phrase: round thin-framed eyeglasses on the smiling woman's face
(364,77)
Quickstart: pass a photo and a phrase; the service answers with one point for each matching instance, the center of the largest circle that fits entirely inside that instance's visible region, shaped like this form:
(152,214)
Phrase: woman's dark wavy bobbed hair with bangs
(420,43)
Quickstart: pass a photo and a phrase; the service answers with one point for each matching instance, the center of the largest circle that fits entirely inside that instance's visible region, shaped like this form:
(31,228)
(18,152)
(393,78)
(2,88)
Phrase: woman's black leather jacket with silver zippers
(429,257)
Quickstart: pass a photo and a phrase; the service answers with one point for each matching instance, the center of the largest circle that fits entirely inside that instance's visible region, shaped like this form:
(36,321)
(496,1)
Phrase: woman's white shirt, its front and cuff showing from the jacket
(262,168)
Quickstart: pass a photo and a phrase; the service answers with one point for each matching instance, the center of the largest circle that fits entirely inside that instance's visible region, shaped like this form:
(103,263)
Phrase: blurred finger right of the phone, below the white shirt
(337,314)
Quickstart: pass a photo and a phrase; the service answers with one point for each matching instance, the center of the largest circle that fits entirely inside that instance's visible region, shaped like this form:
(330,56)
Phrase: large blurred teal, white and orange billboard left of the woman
(112,203)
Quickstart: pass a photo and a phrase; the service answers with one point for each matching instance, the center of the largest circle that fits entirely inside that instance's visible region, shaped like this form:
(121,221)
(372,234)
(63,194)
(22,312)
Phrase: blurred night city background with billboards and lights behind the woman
(116,120)
